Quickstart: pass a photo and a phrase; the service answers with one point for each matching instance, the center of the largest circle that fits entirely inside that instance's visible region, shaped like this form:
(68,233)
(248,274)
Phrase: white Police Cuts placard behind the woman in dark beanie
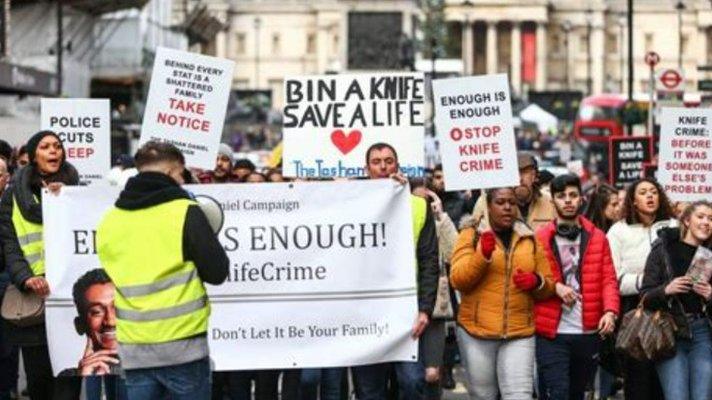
(84,126)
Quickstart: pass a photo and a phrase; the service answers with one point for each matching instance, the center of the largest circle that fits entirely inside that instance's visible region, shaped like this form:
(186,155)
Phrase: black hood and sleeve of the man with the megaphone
(200,245)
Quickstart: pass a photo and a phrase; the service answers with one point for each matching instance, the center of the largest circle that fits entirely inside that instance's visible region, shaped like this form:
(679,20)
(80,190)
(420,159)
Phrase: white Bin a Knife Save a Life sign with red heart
(331,120)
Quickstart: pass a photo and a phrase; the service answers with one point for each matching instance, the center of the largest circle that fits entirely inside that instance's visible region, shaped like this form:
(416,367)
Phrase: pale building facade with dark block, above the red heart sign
(273,39)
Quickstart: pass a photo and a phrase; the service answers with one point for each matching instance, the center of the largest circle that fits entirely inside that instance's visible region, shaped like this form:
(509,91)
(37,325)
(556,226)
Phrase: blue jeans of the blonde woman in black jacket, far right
(688,374)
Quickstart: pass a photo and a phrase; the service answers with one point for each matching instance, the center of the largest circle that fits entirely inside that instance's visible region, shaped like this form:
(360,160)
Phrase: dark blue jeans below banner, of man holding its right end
(371,380)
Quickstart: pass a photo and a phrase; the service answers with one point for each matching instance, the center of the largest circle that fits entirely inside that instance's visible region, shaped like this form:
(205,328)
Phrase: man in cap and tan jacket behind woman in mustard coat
(533,206)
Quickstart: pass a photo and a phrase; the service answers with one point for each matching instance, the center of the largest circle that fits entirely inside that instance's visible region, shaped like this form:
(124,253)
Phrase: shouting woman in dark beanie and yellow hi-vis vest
(21,238)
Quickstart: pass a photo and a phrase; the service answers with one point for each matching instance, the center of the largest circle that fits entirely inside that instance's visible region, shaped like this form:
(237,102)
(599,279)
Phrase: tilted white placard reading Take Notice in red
(186,104)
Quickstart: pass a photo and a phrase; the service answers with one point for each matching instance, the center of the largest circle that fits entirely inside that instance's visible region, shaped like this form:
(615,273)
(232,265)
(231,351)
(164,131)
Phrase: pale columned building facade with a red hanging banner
(578,44)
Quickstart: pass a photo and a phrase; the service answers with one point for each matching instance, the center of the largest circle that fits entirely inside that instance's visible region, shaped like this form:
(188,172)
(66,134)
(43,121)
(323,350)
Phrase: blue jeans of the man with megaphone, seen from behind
(189,381)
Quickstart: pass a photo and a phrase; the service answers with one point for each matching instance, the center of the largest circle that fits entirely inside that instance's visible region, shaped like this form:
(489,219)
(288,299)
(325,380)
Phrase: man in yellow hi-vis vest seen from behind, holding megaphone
(159,249)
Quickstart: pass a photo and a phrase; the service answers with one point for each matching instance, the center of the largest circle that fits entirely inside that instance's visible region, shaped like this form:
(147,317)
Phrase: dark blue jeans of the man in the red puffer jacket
(566,365)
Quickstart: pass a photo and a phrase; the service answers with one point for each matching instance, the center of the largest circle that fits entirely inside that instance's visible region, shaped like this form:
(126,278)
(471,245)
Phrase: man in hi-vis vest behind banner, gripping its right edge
(382,162)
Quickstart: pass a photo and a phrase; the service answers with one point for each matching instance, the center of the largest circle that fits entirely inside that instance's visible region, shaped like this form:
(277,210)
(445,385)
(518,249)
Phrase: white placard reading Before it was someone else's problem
(685,159)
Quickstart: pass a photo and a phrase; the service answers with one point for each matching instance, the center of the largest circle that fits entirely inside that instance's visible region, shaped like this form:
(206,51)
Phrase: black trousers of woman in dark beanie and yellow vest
(41,385)
